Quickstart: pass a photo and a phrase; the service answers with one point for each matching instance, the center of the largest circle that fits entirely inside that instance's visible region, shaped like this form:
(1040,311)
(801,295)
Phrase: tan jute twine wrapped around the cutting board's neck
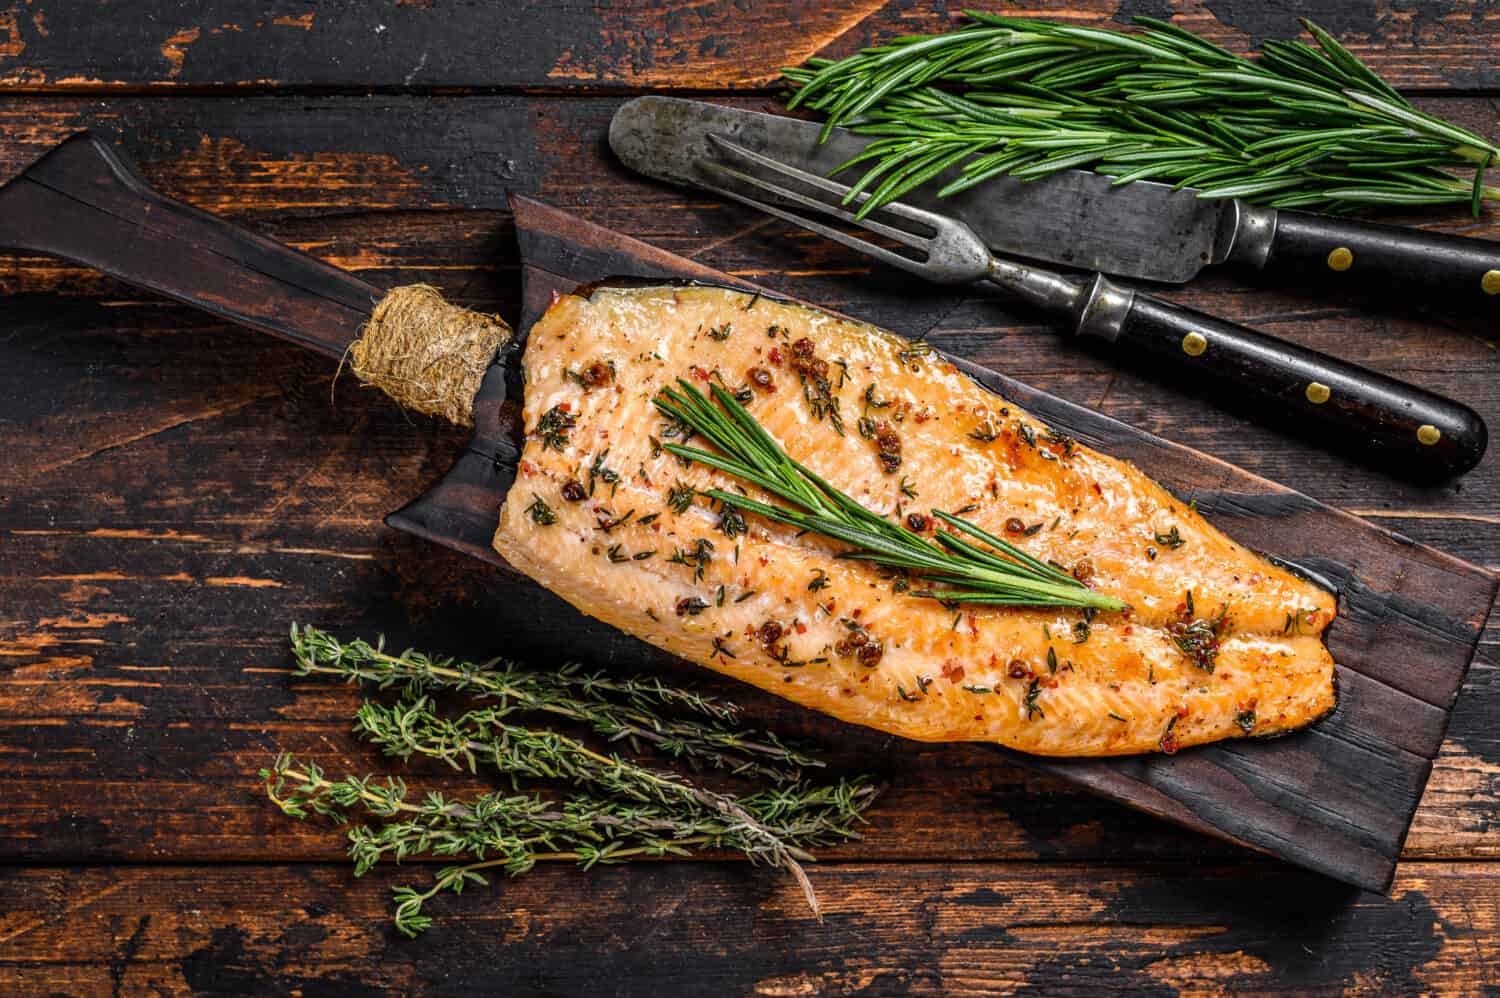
(427,353)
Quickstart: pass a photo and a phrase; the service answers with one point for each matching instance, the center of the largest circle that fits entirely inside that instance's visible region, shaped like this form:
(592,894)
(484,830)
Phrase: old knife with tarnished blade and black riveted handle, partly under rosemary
(1139,230)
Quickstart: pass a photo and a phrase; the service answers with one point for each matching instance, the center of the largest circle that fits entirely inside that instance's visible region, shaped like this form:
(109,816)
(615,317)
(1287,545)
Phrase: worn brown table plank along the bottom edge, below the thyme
(727,930)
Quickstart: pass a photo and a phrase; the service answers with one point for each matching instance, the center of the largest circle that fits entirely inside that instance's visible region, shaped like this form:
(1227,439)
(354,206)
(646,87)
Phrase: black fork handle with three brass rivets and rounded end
(1342,407)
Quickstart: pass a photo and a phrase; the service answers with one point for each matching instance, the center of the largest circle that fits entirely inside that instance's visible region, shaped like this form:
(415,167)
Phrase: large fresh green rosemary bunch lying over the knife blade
(1304,127)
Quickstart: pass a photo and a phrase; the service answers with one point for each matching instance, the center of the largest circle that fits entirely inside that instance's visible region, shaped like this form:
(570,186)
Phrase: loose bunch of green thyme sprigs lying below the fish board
(617,810)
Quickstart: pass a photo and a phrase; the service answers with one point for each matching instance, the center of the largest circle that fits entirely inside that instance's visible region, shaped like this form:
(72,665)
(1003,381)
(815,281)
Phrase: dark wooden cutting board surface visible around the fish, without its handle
(1337,798)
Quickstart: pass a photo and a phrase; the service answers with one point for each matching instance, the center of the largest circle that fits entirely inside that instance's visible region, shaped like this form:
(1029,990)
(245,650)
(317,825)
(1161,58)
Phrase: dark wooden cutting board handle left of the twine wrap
(83,203)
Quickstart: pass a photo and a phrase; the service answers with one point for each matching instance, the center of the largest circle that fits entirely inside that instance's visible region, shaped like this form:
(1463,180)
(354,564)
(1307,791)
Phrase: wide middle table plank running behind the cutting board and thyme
(161,595)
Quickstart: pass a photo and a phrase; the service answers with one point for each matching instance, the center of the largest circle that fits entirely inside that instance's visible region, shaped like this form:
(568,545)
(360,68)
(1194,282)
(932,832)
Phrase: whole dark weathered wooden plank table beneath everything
(176,491)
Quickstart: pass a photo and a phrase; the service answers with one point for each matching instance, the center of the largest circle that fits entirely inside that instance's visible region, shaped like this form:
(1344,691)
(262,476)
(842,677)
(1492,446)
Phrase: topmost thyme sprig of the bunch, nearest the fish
(614,709)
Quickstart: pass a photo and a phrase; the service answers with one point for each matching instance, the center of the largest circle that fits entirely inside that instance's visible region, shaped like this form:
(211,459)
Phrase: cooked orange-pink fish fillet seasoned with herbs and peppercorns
(1039,681)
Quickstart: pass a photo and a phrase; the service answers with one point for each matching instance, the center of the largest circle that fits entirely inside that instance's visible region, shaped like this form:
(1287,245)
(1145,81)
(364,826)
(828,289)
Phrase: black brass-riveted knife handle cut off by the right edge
(1448,272)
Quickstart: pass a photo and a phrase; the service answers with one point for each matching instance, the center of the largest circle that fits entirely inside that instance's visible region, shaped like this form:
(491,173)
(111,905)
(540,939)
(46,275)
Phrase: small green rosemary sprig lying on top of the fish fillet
(962,571)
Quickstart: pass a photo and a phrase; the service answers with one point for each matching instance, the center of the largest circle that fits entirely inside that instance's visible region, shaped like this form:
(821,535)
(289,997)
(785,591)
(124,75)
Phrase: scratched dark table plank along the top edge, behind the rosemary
(712,44)
